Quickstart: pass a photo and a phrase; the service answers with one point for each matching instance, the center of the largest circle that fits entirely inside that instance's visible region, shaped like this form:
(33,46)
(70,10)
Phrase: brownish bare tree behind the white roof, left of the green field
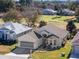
(31,14)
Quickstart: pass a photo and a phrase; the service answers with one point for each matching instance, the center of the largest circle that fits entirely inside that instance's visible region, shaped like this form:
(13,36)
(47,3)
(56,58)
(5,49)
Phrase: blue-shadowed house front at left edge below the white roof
(5,37)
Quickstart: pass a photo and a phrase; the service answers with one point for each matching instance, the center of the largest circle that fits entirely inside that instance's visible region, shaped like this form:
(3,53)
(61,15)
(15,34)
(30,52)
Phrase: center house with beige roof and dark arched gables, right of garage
(55,36)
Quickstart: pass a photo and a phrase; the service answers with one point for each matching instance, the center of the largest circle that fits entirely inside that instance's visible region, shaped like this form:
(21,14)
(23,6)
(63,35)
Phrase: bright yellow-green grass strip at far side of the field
(51,18)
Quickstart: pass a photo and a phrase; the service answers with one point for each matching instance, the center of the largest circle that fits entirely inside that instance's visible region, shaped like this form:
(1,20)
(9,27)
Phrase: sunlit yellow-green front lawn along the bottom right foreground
(53,54)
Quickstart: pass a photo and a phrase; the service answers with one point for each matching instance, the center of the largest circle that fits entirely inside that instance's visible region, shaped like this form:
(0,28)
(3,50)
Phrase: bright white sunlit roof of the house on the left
(16,27)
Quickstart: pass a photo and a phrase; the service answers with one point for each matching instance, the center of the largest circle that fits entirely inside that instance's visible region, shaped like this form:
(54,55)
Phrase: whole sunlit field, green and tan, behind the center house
(60,21)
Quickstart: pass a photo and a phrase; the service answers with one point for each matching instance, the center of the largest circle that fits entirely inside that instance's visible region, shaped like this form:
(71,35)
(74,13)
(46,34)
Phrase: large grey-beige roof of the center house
(61,33)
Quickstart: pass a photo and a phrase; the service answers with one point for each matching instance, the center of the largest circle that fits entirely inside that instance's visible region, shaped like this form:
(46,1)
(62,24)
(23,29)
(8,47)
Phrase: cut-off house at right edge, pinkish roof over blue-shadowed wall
(75,44)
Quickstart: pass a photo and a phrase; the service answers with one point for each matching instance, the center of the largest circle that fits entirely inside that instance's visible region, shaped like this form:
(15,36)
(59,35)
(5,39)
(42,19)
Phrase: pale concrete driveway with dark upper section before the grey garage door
(18,53)
